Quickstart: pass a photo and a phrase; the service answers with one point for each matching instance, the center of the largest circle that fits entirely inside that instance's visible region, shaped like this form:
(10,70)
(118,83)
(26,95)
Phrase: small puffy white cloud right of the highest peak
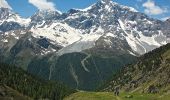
(152,9)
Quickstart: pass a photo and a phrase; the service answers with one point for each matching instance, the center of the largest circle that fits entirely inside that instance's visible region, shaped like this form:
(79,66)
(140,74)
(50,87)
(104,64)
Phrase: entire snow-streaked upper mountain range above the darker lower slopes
(79,29)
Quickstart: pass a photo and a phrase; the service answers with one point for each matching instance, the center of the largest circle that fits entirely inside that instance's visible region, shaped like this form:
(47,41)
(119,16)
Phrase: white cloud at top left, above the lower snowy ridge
(43,4)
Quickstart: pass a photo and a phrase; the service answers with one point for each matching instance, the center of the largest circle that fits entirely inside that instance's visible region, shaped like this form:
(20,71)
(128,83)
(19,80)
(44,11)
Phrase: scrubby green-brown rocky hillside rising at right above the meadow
(149,75)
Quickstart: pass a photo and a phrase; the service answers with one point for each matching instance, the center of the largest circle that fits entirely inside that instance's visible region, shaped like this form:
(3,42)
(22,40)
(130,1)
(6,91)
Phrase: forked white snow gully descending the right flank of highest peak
(141,44)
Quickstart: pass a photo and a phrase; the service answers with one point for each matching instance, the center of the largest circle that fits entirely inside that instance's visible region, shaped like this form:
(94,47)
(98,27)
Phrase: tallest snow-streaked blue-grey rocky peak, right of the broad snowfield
(142,33)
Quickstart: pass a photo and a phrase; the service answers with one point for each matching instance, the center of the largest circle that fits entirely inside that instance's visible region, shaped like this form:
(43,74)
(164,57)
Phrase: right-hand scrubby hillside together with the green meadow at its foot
(148,79)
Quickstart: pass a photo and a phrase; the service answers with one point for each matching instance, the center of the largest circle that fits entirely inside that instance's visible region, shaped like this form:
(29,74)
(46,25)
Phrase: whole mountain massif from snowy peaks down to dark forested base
(81,38)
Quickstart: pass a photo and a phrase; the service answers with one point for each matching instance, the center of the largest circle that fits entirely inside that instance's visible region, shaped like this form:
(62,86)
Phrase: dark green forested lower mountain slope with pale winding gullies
(78,69)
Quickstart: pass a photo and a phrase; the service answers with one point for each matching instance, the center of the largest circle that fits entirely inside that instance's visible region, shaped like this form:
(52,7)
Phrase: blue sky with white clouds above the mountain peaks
(155,8)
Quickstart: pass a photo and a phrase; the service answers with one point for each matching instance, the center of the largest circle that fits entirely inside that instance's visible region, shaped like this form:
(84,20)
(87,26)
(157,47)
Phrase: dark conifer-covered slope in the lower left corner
(30,86)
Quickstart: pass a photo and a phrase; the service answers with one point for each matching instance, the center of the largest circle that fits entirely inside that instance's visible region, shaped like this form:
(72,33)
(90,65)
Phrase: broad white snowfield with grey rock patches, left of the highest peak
(58,33)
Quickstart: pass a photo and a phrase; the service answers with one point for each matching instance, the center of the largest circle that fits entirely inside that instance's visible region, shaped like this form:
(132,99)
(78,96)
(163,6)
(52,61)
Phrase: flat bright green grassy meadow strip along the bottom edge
(110,96)
